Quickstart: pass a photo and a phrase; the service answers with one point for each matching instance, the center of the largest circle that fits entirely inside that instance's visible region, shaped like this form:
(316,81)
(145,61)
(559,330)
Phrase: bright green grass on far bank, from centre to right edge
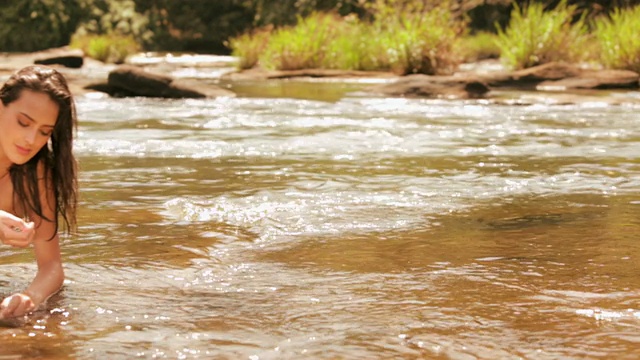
(432,40)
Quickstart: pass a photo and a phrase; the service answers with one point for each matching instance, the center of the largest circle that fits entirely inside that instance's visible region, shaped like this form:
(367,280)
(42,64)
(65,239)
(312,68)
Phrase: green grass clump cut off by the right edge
(619,39)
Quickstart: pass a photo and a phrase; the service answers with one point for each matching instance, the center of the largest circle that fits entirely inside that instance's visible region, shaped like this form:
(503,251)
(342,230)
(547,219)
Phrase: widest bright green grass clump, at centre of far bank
(421,41)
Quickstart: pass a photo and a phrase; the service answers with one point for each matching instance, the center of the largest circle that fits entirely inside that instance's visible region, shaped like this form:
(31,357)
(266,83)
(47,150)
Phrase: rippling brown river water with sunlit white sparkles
(309,221)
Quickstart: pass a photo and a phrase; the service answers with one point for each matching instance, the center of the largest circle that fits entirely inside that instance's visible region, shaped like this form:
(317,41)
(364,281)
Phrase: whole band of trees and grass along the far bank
(403,36)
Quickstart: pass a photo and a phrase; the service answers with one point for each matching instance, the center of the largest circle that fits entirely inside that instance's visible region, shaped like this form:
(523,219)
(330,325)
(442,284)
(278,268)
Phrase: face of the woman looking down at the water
(27,124)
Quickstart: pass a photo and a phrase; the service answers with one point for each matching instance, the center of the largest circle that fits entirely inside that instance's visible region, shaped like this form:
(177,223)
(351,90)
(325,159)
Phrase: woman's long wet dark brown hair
(60,167)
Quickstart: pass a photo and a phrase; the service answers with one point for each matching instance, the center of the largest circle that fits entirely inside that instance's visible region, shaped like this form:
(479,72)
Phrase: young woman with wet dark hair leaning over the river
(38,183)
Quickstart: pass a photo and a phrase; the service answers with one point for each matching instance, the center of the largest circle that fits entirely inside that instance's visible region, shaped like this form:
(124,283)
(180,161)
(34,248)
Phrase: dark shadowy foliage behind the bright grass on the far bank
(194,25)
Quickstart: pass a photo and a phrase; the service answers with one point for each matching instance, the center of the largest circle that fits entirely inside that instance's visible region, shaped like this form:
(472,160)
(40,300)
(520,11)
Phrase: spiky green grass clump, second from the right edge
(536,36)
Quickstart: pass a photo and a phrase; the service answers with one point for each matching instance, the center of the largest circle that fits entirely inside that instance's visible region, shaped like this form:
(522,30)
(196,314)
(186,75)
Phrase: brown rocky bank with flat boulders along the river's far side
(549,83)
